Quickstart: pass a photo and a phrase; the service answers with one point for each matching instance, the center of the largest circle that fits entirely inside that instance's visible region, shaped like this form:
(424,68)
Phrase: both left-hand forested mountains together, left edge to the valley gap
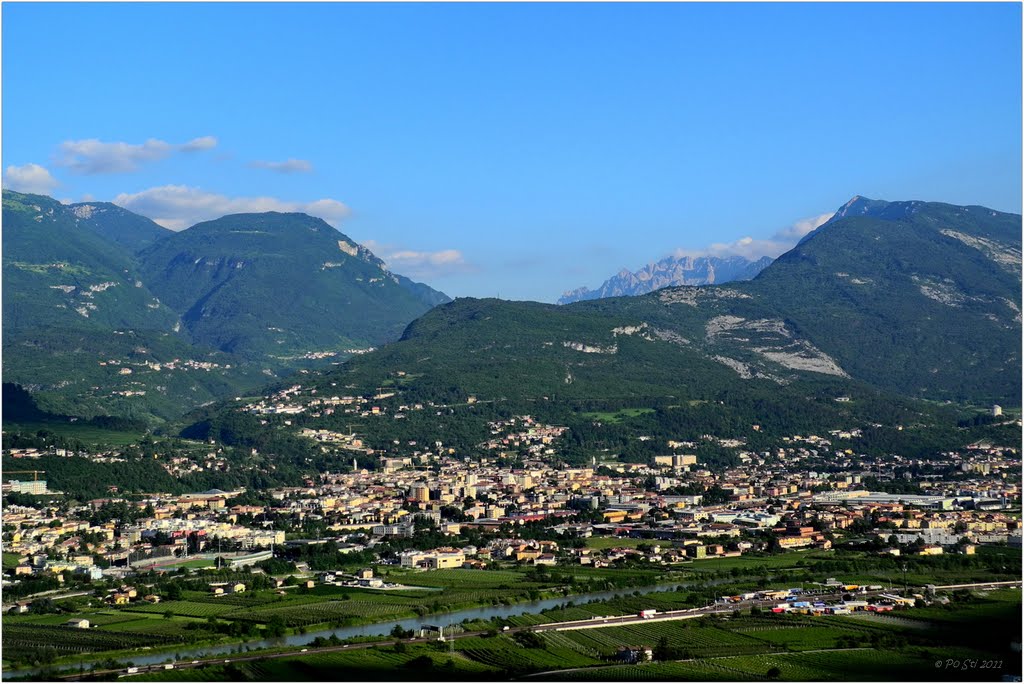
(105,312)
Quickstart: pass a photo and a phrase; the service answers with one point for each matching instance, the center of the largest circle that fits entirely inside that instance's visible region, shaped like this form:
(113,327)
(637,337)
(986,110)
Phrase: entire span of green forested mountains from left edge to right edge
(106,313)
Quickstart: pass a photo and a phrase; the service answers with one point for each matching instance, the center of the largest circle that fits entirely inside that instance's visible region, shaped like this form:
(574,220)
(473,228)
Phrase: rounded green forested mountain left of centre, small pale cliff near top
(280,285)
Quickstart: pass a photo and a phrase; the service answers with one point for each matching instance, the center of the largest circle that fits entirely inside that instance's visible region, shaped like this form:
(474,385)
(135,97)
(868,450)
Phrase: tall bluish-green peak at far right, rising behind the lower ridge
(919,298)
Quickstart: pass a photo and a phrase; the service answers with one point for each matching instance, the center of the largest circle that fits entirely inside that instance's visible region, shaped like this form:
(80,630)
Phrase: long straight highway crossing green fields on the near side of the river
(611,621)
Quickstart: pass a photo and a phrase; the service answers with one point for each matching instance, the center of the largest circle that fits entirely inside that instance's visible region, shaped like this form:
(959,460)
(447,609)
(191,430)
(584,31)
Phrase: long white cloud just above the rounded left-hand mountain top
(178,207)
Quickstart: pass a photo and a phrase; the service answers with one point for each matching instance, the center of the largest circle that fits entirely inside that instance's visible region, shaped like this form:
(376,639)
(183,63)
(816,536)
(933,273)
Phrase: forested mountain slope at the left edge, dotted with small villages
(83,331)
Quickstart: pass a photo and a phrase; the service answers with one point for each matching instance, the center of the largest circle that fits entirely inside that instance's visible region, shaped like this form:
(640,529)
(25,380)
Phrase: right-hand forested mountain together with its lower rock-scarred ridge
(918,300)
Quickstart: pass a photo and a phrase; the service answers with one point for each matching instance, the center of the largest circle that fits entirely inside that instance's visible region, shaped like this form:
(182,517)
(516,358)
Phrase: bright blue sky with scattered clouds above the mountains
(517,150)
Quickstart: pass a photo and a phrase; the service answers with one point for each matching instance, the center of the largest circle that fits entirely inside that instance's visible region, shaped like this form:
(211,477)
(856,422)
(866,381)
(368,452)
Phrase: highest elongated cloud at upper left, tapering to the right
(93,156)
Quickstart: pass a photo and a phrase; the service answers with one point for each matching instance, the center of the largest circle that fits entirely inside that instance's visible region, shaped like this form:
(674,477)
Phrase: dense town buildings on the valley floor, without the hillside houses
(766,507)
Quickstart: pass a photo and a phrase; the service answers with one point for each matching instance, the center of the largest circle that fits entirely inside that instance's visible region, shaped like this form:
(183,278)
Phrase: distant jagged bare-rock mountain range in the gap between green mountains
(672,271)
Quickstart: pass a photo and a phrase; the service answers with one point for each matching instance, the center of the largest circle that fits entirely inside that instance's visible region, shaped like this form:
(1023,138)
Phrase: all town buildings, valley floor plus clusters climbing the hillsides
(806,493)
